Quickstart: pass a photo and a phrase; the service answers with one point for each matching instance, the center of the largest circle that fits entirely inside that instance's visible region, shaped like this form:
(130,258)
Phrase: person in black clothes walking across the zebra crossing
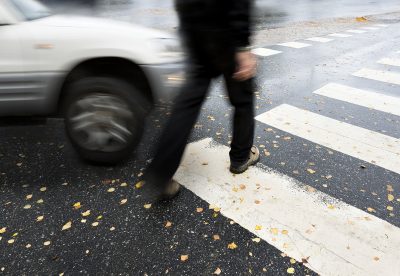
(216,34)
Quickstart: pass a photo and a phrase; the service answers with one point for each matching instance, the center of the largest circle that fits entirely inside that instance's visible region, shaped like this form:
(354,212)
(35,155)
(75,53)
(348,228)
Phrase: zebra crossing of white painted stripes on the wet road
(334,238)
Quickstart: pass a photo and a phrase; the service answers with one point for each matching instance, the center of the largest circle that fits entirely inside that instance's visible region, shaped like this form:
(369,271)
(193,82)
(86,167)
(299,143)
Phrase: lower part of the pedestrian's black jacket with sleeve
(231,17)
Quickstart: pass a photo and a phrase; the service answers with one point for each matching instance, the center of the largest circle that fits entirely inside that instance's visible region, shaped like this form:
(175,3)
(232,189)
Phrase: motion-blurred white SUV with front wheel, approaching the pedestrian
(102,76)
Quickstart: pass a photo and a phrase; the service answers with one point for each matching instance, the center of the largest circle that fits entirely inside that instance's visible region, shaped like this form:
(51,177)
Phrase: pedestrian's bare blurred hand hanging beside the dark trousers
(246,66)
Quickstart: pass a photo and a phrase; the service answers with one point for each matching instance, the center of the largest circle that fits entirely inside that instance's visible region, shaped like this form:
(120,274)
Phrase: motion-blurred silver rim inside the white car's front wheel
(101,122)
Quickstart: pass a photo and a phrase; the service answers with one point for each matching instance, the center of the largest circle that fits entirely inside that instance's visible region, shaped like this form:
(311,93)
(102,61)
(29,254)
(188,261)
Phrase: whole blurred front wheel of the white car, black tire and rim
(104,118)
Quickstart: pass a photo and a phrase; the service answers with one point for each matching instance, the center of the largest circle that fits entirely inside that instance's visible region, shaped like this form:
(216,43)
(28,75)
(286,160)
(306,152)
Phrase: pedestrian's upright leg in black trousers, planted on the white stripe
(241,97)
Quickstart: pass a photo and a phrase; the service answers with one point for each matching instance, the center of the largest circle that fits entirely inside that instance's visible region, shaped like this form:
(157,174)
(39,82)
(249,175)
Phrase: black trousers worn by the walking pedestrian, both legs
(210,57)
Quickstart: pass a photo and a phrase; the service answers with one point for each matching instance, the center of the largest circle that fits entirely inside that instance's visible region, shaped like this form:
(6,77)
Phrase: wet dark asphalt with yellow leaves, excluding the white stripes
(42,179)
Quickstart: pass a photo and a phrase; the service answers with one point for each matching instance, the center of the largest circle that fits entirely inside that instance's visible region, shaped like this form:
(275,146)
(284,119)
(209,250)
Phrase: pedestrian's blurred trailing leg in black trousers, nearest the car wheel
(177,131)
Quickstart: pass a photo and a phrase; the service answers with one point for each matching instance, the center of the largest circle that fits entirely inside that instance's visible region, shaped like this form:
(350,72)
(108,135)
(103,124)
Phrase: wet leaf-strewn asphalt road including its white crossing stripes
(42,179)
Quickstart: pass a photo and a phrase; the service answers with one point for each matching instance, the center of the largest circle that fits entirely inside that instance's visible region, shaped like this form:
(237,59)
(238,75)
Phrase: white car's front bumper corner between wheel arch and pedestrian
(165,80)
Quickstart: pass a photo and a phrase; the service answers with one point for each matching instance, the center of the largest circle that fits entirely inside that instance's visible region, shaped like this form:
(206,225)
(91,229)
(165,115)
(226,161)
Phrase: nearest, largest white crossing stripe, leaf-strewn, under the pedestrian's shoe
(341,240)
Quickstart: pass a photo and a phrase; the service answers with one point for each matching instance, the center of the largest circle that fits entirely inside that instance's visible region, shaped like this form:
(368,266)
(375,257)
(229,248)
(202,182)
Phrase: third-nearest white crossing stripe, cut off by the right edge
(361,97)
